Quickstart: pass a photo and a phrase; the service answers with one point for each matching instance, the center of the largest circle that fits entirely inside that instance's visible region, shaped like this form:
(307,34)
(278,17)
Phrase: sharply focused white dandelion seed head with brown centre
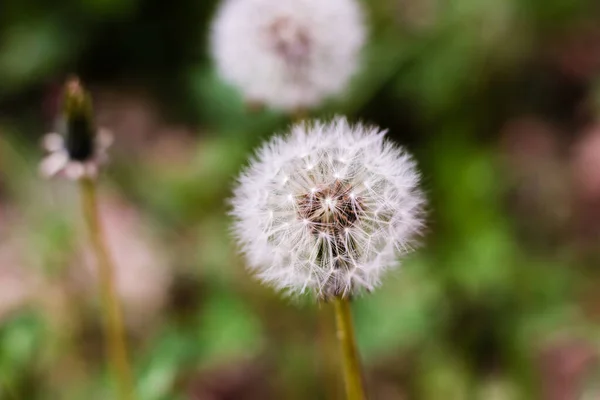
(327,208)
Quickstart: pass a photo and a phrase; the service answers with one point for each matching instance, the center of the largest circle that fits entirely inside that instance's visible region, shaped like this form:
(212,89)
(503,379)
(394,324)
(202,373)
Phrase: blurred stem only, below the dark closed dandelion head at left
(114,331)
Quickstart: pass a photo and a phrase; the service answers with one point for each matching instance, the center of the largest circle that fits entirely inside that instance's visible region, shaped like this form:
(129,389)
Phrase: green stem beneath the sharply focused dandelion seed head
(350,358)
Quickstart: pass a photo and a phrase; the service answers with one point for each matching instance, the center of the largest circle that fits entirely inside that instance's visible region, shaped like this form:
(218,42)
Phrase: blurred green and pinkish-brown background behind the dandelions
(497,99)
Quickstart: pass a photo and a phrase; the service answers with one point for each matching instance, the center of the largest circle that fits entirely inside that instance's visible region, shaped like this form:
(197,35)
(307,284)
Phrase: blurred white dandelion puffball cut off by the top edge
(288,54)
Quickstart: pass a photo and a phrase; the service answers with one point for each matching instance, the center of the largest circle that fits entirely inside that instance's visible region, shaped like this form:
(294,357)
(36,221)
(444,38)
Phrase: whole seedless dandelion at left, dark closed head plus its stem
(76,151)
